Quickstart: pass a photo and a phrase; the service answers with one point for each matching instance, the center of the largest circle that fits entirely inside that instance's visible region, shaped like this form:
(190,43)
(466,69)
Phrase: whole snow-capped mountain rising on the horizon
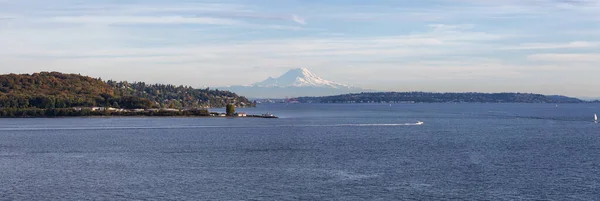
(294,83)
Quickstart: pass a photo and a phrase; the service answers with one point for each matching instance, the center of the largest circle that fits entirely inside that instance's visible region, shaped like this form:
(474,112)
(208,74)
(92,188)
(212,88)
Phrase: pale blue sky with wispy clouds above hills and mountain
(539,46)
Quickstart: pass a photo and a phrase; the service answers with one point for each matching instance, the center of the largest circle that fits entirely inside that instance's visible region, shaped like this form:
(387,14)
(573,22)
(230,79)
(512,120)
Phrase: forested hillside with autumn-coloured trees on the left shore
(58,90)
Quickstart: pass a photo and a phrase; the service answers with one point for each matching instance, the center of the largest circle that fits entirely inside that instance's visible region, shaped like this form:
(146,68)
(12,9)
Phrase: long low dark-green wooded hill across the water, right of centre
(424,97)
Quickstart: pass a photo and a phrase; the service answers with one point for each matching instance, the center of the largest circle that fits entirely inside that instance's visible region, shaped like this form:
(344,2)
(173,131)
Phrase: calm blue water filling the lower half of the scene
(315,152)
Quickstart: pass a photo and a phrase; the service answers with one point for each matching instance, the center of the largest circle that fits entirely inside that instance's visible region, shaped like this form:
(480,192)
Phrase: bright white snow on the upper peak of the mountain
(300,77)
